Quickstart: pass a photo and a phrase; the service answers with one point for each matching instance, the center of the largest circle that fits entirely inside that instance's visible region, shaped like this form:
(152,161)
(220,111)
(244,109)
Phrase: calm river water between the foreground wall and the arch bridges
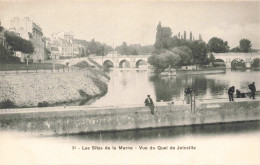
(128,87)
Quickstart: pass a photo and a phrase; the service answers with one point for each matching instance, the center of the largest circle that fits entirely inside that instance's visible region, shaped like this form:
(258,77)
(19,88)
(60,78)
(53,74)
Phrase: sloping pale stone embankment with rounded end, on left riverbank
(28,90)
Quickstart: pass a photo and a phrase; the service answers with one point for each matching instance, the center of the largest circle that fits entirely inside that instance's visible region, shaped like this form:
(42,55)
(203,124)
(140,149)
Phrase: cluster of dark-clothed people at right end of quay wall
(231,91)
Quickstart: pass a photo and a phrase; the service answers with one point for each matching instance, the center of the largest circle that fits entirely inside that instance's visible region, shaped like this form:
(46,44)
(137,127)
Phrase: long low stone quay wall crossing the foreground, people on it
(73,120)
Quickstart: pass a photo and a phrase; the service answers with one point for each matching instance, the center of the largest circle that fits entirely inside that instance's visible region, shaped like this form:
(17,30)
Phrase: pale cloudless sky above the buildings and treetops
(134,22)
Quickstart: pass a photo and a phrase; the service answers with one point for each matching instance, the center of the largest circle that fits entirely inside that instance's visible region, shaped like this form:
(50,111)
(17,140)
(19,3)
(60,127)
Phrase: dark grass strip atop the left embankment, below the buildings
(33,66)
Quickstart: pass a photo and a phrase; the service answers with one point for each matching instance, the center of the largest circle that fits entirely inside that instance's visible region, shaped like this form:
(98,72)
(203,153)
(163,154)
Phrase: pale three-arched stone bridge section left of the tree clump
(131,61)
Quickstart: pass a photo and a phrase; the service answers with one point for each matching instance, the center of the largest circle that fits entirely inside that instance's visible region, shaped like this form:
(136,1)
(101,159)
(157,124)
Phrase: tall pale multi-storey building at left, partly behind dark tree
(29,30)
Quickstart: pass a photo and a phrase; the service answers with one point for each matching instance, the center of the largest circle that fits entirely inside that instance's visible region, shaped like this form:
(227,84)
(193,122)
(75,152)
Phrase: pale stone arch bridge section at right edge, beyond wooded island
(228,58)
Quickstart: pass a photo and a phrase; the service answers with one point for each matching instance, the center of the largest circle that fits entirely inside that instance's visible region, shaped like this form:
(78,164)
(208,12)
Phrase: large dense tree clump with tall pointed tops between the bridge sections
(185,52)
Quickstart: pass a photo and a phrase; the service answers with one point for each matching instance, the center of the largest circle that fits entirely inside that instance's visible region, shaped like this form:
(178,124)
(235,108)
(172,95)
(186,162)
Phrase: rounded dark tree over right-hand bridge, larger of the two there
(217,45)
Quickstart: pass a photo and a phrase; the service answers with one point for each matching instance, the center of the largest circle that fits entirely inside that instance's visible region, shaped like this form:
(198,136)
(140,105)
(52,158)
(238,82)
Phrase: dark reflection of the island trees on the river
(172,88)
